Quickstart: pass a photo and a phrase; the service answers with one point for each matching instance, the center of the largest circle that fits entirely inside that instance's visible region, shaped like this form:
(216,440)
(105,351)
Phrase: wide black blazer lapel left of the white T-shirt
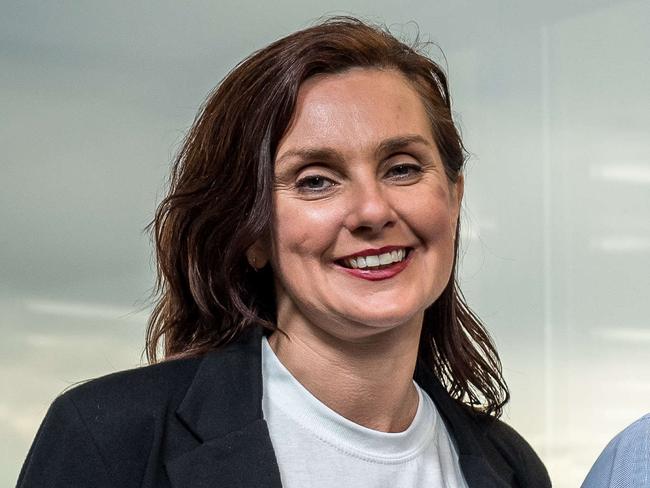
(223,409)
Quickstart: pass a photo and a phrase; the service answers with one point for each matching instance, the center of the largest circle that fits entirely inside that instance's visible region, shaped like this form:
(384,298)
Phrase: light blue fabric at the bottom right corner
(625,462)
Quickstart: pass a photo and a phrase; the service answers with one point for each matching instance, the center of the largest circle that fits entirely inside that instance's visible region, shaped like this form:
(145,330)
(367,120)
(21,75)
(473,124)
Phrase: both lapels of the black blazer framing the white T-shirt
(223,409)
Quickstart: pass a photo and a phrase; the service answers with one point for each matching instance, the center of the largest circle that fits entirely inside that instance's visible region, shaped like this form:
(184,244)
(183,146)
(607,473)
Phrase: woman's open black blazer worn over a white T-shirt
(197,422)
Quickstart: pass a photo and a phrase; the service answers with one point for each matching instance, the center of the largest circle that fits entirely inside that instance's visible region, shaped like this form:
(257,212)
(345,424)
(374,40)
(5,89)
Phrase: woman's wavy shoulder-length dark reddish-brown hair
(220,203)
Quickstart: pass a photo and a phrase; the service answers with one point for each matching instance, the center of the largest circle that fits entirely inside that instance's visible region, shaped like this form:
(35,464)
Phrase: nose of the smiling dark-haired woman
(370,209)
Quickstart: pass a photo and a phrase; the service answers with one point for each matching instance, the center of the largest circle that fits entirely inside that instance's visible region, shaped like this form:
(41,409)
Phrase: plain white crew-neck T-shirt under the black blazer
(318,448)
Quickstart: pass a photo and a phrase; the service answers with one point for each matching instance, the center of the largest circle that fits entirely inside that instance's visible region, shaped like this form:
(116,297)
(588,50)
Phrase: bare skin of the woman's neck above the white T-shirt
(368,380)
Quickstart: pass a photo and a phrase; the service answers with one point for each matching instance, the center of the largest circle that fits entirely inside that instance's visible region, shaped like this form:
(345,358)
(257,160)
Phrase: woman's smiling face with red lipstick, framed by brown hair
(365,216)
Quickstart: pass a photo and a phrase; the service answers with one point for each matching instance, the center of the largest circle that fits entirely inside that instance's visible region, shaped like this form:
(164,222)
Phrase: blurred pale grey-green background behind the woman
(553,102)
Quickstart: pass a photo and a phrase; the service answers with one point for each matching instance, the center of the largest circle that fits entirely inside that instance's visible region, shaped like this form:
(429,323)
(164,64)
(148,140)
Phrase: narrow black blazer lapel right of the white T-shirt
(466,434)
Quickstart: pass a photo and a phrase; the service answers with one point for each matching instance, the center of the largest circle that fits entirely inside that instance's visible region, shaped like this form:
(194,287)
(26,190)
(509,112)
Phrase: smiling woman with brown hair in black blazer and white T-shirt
(312,331)
